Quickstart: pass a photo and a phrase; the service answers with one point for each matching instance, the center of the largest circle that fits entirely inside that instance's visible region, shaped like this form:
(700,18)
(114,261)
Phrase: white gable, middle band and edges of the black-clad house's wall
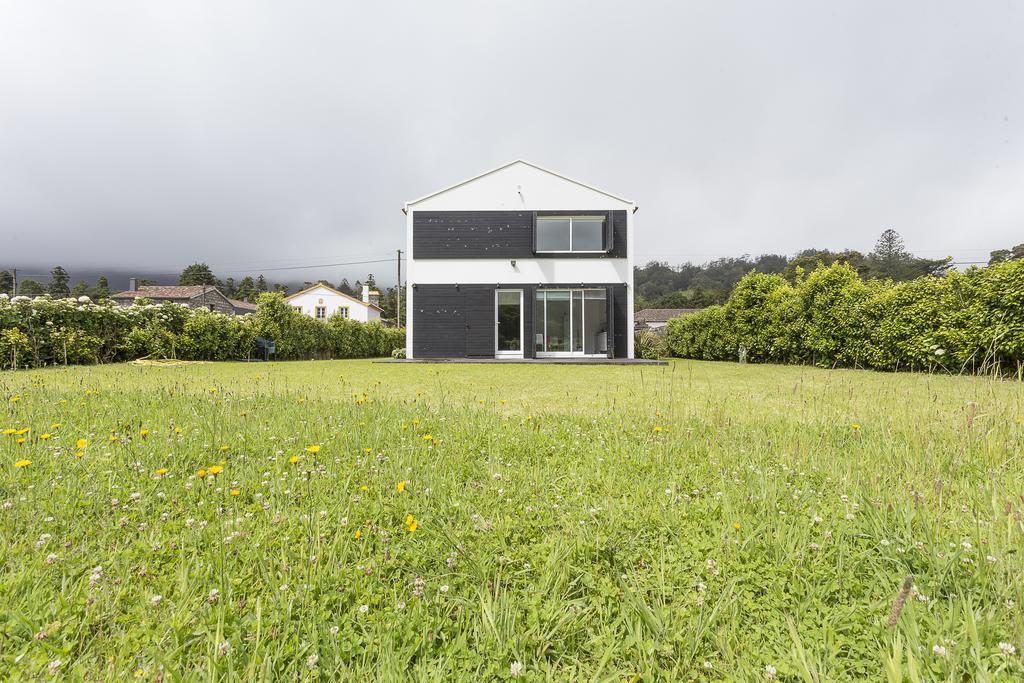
(520,187)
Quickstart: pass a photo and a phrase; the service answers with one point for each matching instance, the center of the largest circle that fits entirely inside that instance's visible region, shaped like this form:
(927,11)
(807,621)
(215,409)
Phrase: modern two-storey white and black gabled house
(520,263)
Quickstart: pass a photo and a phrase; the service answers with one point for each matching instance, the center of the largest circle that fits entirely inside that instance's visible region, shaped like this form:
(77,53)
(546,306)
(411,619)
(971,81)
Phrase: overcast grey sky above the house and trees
(255,136)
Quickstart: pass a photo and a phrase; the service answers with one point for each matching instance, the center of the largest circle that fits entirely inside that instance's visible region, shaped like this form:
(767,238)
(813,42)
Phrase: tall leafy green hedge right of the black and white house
(962,322)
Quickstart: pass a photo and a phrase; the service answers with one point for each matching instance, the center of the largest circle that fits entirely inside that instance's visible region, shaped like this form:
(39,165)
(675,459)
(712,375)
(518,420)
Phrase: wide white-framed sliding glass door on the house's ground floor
(571,323)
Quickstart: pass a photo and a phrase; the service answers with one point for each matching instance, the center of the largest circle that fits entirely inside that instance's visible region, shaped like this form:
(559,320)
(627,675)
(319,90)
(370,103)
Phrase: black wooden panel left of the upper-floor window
(473,234)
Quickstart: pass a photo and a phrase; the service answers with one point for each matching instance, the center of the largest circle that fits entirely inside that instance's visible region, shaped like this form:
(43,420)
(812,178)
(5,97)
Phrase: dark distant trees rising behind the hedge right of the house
(689,286)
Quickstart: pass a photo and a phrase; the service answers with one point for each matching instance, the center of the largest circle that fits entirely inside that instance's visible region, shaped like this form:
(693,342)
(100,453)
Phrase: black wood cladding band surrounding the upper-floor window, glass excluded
(498,234)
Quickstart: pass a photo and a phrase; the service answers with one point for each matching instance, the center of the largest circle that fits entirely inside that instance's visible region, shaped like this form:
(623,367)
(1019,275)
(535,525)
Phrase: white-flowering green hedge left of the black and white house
(45,331)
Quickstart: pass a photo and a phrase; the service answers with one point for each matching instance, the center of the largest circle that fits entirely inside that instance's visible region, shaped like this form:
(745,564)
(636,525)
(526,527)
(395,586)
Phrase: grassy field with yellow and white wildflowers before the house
(358,521)
